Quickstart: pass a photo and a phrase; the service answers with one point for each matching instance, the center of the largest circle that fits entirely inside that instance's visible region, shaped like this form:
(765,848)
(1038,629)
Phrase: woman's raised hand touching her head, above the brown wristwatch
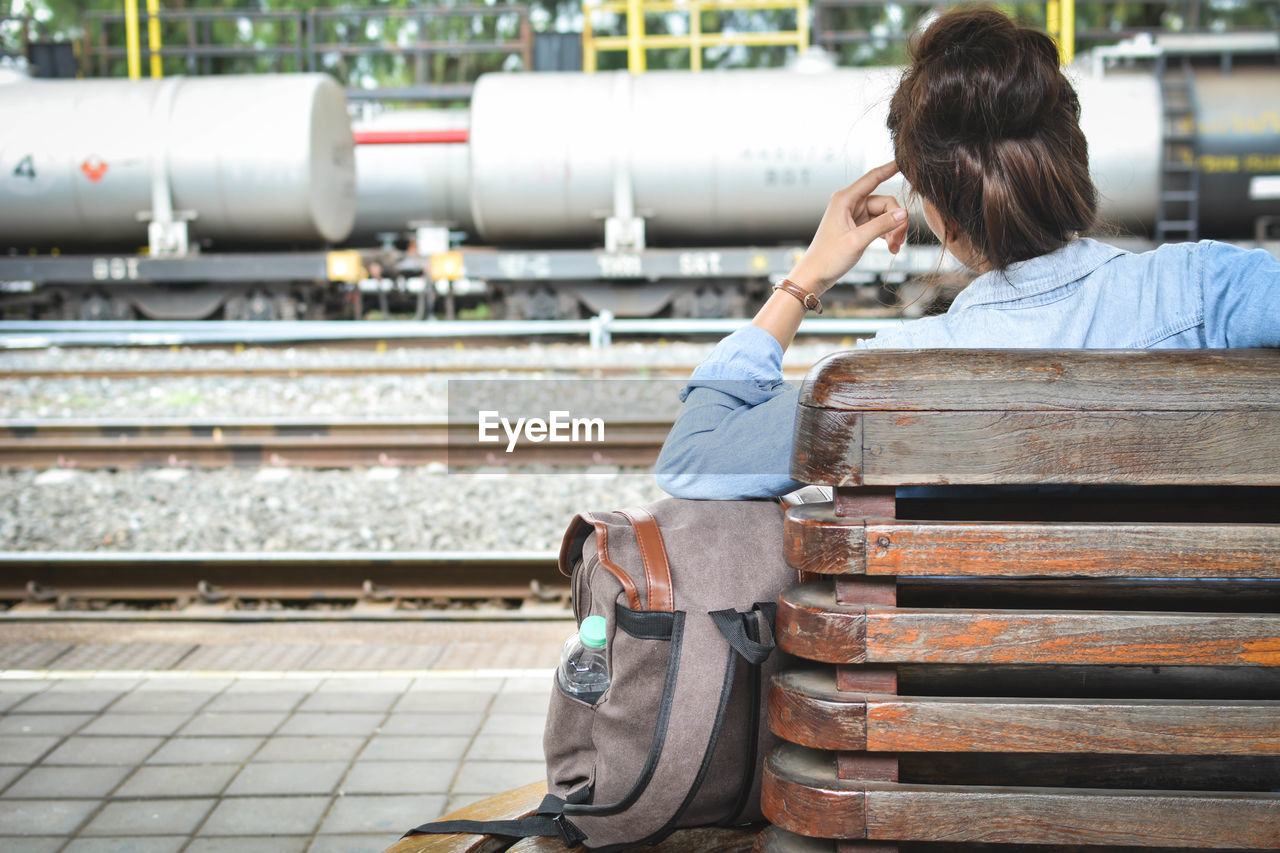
(853,221)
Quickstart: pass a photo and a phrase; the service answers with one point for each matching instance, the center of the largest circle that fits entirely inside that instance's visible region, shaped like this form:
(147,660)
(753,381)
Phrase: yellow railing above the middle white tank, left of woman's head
(637,42)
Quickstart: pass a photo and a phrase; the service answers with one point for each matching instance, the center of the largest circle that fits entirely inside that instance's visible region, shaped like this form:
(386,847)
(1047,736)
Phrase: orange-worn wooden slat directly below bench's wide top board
(819,541)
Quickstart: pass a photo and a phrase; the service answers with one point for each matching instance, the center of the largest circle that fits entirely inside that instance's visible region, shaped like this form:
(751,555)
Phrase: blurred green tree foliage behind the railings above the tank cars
(397,43)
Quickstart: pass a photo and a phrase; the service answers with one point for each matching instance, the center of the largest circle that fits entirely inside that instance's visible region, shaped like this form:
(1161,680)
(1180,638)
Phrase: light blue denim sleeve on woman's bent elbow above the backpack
(734,436)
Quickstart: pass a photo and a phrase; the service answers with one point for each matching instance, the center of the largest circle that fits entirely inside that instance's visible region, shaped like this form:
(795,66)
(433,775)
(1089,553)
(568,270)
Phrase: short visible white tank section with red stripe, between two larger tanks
(401,183)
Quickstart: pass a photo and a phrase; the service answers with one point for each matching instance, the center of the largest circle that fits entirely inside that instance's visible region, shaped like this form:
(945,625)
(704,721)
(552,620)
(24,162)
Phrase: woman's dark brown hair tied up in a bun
(988,130)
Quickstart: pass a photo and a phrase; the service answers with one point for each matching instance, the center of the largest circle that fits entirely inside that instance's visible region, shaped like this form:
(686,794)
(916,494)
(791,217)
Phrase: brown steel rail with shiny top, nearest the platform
(214,578)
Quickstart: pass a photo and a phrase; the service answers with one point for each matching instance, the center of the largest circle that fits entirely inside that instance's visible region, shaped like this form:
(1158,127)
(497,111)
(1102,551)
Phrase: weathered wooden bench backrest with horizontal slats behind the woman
(1092,660)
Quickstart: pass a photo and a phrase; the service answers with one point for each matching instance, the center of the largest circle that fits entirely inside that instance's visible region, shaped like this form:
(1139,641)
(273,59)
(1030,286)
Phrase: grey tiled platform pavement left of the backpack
(250,759)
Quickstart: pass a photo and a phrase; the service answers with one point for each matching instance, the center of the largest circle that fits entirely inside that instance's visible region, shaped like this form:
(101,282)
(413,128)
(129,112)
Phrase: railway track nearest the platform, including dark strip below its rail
(273,586)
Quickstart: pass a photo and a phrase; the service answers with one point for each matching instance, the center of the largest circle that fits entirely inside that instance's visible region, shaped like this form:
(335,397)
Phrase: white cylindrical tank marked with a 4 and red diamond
(258,159)
